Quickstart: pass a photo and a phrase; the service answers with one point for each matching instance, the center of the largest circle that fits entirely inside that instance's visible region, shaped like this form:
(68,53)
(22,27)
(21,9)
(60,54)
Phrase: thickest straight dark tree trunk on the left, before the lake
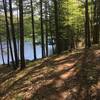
(21,34)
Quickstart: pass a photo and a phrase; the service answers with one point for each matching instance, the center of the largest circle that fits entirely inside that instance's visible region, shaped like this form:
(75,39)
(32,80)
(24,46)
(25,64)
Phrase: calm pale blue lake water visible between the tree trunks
(28,51)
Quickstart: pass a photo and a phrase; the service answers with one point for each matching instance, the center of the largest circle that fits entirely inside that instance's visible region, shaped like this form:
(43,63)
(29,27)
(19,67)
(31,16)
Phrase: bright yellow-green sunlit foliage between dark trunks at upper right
(71,15)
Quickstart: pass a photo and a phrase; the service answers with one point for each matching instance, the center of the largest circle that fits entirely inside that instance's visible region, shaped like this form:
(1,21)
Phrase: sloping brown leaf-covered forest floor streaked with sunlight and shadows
(69,76)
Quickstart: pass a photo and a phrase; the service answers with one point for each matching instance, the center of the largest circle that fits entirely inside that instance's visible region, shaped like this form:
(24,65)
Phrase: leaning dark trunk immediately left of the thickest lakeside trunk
(13,34)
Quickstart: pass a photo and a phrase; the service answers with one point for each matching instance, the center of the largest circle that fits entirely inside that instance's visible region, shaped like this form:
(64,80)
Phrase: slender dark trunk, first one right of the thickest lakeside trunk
(32,16)
